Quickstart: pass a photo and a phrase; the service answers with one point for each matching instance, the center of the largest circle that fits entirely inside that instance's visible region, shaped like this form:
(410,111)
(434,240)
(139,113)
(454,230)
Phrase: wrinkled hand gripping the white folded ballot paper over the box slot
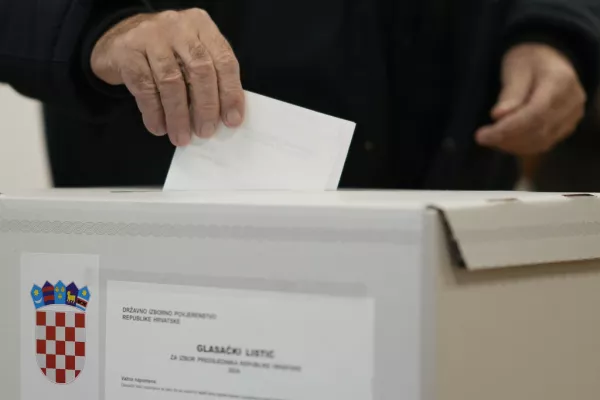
(181,70)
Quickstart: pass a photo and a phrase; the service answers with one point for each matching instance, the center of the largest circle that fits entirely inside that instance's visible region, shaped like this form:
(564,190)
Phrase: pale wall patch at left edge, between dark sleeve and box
(23,161)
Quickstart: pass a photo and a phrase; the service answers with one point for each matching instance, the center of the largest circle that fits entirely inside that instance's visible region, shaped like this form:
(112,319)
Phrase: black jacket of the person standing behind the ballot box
(418,78)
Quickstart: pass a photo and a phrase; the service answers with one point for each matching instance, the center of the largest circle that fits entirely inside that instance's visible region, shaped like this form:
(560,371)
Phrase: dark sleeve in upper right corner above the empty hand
(571,26)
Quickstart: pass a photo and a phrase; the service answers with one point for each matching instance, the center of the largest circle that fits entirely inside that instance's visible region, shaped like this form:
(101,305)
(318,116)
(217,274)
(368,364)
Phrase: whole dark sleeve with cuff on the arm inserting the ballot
(41,49)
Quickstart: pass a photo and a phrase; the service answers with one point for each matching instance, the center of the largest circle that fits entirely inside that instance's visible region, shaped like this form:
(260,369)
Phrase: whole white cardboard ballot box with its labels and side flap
(114,295)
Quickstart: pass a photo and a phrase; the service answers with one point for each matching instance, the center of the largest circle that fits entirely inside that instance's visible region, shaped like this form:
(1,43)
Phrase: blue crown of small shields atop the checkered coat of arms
(59,294)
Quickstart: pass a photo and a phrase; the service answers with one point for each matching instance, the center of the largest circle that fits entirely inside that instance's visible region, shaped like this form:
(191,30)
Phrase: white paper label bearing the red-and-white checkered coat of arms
(59,326)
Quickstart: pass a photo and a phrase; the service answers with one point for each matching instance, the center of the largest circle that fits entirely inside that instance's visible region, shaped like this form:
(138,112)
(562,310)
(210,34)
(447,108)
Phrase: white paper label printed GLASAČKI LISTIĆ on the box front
(169,342)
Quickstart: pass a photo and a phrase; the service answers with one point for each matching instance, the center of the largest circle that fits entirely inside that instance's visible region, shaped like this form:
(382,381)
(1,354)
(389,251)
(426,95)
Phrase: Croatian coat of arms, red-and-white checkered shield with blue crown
(60,330)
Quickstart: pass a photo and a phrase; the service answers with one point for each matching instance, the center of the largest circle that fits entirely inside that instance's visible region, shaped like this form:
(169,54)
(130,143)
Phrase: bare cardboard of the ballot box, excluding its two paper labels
(477,295)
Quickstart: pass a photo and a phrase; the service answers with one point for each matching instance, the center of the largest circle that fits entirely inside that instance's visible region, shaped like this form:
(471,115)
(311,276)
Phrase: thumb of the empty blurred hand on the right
(518,82)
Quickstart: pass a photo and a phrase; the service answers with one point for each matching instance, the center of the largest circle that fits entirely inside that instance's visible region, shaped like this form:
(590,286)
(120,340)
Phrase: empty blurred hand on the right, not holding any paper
(542,102)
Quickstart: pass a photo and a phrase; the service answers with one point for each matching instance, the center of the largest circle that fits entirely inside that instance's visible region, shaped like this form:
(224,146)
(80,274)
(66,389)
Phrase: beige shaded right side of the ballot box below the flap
(525,333)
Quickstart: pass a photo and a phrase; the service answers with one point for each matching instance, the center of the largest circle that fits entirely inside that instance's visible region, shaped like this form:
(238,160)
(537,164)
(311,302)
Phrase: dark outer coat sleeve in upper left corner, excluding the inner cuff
(37,44)
